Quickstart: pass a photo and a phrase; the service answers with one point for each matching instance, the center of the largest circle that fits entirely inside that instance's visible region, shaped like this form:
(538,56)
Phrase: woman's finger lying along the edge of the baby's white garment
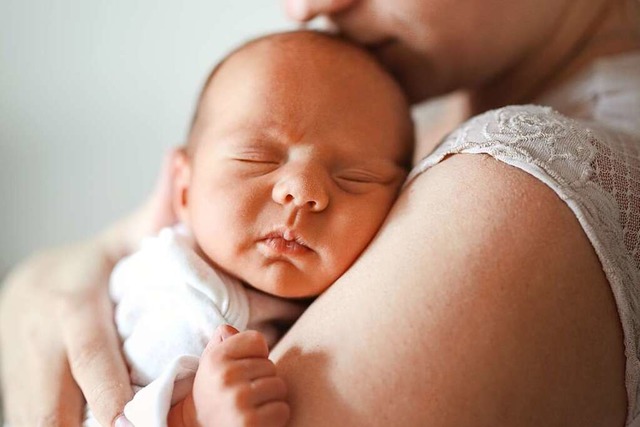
(94,356)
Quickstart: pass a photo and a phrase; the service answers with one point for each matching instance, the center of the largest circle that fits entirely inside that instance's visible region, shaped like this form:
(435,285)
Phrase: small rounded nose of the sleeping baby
(304,189)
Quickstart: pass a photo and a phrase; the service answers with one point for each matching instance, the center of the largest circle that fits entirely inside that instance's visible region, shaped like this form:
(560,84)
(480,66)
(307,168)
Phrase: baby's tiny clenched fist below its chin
(235,385)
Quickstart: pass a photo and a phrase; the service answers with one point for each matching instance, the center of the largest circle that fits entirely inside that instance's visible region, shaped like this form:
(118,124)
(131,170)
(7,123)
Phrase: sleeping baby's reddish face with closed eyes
(297,162)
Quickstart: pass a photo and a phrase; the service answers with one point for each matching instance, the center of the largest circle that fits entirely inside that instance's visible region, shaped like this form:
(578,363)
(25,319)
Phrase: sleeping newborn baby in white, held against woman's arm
(297,151)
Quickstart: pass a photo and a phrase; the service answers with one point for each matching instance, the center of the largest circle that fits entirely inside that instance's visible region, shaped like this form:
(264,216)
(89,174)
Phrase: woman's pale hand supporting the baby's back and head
(56,324)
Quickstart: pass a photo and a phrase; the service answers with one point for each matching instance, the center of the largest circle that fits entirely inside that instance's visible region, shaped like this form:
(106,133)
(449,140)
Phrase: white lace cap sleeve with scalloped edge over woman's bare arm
(571,158)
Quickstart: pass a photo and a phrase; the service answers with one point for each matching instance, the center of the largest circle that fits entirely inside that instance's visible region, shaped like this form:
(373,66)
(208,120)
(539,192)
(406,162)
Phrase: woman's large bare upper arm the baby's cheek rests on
(480,302)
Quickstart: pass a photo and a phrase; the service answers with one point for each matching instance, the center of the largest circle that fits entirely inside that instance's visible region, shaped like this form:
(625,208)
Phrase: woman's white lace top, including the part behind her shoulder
(585,145)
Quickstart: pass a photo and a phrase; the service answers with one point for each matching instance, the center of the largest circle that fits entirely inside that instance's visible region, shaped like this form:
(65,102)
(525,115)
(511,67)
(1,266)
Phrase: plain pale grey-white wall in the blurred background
(92,92)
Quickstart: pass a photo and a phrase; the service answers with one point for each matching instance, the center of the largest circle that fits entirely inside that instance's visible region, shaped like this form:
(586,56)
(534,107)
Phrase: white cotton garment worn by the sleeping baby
(169,302)
